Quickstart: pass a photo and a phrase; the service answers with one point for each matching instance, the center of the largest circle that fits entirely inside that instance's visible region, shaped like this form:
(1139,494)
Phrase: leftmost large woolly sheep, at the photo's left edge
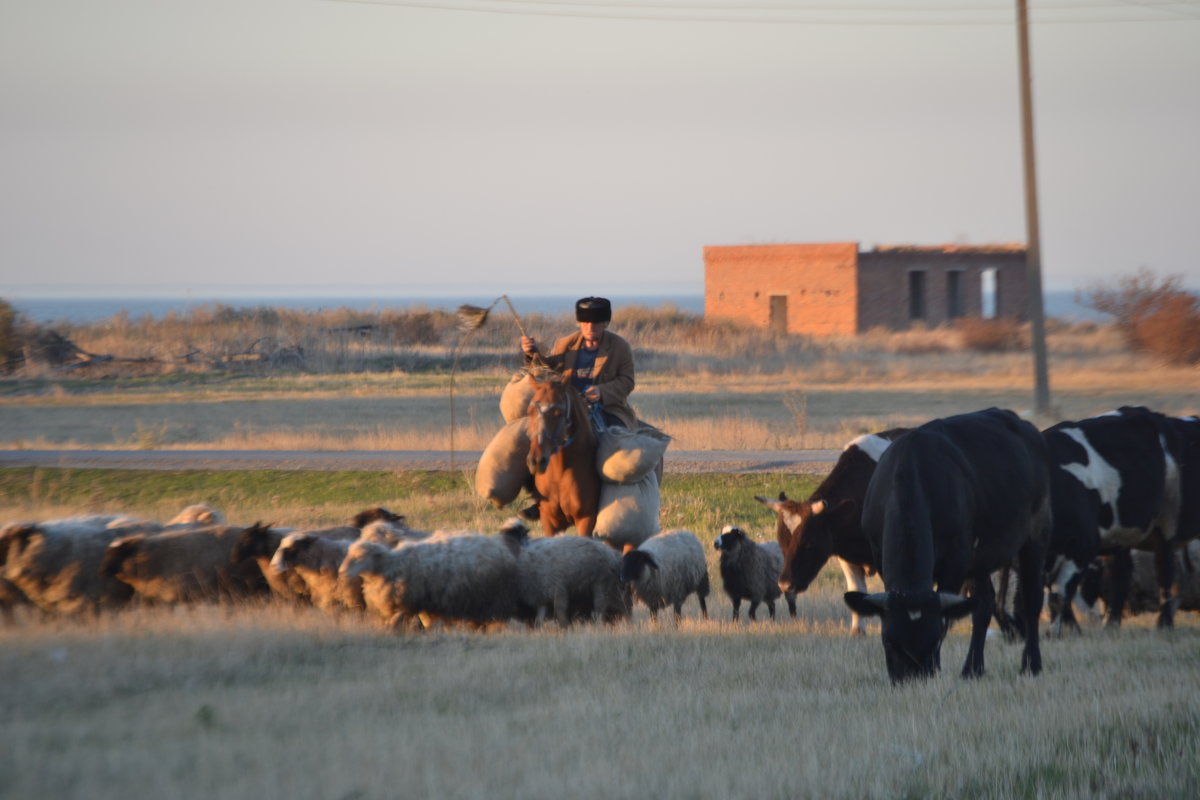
(56,564)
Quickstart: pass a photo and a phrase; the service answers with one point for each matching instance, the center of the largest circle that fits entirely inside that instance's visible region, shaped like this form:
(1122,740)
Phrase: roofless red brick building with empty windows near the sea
(836,290)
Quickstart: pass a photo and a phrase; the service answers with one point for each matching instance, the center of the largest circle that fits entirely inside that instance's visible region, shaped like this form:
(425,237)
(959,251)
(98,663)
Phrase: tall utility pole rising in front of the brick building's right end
(1035,305)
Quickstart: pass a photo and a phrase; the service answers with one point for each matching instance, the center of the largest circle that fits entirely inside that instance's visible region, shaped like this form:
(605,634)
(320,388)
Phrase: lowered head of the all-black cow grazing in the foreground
(914,624)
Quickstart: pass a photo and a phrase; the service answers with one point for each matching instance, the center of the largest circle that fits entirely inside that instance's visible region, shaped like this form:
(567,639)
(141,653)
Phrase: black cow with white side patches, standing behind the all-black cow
(1115,484)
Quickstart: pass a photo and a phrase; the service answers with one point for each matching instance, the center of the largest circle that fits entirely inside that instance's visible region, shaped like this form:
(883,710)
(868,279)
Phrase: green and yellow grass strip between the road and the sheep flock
(700,503)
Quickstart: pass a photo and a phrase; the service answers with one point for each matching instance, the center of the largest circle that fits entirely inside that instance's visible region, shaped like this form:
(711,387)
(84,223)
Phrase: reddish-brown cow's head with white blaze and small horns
(806,536)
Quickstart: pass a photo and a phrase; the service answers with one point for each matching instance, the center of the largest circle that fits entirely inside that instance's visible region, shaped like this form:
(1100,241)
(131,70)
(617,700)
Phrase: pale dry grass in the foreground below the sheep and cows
(266,702)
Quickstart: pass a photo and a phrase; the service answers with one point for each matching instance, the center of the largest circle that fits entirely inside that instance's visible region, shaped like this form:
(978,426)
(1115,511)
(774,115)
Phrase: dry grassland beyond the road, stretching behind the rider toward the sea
(710,387)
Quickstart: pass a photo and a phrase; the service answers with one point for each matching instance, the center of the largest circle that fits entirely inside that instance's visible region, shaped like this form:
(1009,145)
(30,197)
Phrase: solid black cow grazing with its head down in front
(952,502)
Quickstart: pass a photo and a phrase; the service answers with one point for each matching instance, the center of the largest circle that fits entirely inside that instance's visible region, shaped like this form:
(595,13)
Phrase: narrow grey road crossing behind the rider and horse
(697,461)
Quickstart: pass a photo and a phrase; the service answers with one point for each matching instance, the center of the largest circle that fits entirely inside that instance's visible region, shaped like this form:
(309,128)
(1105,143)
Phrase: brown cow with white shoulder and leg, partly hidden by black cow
(827,524)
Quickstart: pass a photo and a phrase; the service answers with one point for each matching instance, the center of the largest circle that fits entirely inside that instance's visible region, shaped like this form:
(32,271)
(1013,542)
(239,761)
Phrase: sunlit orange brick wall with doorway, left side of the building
(819,282)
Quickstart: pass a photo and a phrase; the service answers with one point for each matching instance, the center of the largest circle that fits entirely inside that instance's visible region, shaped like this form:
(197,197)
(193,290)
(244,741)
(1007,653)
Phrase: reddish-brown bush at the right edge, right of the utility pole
(1156,316)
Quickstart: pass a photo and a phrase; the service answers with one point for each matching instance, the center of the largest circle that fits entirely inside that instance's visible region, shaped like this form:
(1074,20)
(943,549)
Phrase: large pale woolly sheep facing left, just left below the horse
(469,578)
